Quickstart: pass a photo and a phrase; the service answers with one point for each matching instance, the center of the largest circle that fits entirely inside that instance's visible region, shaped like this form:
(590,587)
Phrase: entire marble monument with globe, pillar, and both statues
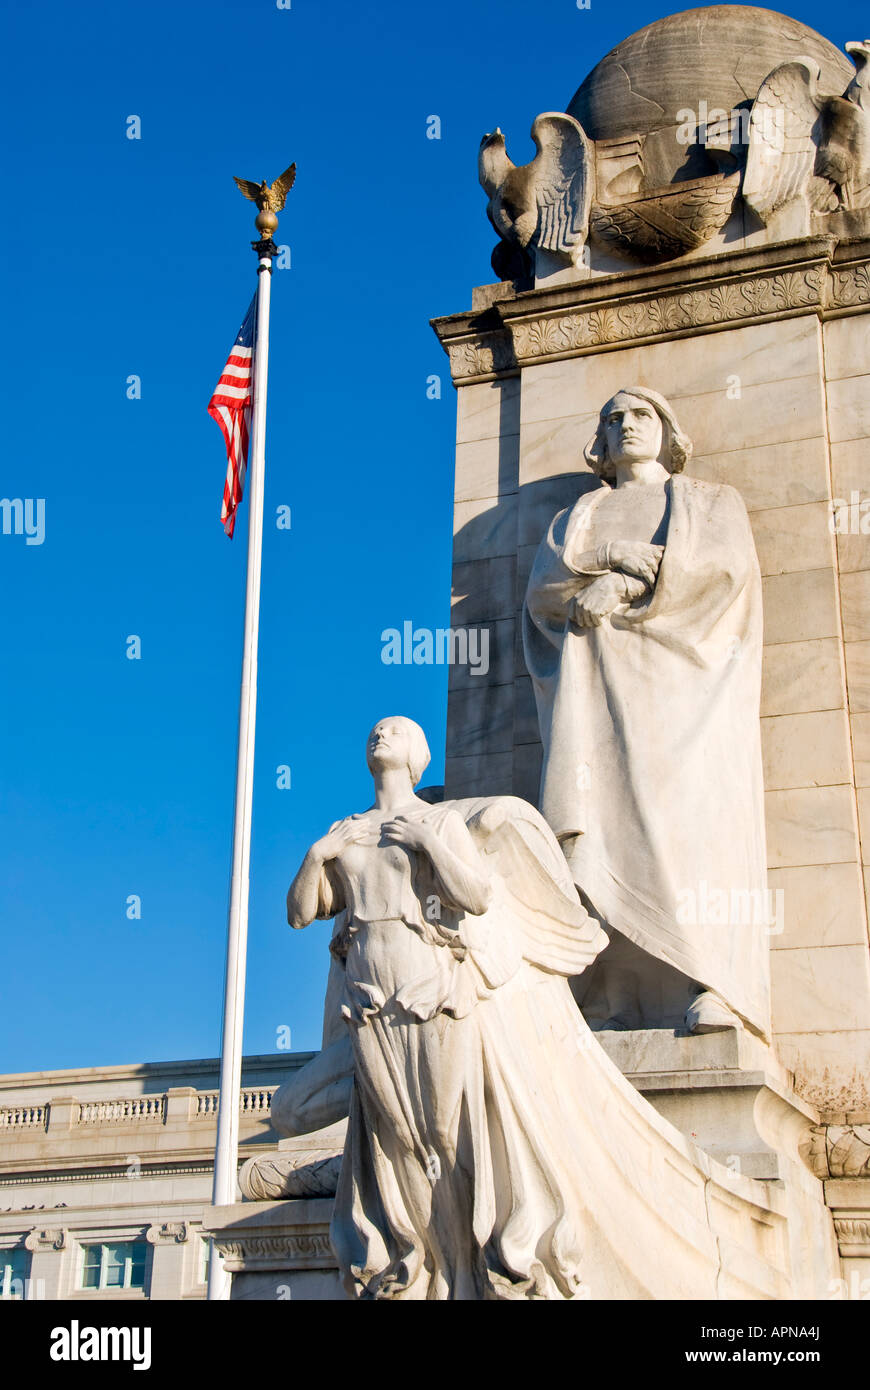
(662,444)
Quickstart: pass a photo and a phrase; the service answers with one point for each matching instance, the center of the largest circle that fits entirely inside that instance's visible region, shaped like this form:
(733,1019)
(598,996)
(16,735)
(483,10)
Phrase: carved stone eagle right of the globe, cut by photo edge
(810,148)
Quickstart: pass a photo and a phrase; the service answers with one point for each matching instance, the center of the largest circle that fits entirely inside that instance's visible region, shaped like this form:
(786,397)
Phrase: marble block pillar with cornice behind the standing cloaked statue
(765,358)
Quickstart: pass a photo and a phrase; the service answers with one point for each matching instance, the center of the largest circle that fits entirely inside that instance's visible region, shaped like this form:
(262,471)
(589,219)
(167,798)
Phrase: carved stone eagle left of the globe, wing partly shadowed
(543,205)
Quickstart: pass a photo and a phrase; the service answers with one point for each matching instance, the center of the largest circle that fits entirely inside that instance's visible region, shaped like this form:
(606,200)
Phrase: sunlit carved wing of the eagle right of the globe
(783,138)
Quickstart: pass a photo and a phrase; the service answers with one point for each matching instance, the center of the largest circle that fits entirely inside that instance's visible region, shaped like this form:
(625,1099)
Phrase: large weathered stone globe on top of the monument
(718,56)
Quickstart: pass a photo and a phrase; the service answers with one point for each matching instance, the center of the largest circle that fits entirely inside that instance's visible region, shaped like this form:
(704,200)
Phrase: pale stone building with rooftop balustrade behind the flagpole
(106,1172)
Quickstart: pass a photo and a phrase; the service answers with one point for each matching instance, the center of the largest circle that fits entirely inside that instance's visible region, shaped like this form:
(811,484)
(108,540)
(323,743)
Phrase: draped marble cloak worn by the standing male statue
(652,769)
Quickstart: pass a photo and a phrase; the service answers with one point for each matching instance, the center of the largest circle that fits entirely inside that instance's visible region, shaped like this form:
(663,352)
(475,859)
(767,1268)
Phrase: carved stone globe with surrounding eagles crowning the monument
(708,127)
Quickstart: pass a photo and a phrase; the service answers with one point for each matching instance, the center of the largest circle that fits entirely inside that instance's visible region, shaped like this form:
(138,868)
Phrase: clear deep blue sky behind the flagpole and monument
(133,258)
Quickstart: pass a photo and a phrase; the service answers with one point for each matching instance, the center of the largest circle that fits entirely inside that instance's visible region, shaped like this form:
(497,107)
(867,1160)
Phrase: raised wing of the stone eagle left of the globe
(564,183)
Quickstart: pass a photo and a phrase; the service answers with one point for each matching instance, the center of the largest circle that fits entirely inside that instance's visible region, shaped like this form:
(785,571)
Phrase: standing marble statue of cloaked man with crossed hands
(643,635)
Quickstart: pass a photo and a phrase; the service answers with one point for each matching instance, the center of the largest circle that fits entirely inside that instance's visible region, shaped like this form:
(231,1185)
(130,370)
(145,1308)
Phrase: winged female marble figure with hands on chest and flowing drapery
(493,1150)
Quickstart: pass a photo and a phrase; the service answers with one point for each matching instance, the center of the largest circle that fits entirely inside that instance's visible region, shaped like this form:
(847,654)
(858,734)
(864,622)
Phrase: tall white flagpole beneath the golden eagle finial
(227,1146)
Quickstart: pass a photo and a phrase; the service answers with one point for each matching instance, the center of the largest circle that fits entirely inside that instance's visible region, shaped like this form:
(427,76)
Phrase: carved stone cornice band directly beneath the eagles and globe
(625,311)
